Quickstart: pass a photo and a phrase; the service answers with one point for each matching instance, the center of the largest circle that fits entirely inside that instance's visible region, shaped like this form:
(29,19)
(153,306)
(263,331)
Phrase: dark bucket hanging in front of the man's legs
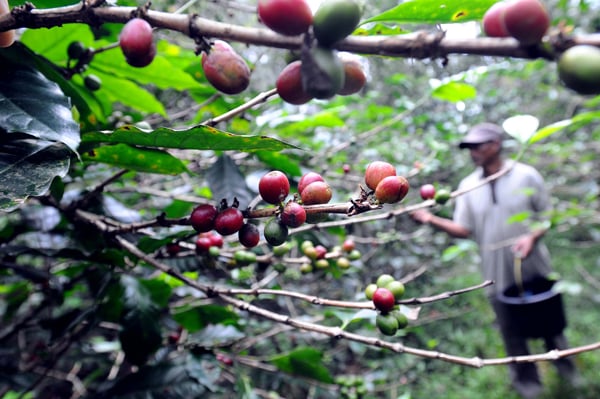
(537,312)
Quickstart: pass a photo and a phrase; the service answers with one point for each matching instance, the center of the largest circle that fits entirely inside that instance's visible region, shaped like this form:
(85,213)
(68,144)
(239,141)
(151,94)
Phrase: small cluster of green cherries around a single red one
(384,293)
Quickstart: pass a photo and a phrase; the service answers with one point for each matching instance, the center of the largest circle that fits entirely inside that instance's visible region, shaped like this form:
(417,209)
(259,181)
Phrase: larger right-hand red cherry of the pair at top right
(526,20)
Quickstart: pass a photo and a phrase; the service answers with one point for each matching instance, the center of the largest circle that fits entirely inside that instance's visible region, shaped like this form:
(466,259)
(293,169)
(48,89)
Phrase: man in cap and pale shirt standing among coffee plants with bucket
(484,214)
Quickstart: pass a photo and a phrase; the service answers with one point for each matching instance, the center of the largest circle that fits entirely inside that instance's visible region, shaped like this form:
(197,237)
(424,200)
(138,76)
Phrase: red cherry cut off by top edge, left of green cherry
(286,17)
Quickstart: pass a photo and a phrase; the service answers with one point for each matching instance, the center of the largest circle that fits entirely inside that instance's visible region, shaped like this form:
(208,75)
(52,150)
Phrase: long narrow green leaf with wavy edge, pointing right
(196,138)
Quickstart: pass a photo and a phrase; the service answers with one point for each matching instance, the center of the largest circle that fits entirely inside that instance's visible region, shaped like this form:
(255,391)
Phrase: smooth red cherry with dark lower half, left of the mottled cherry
(136,43)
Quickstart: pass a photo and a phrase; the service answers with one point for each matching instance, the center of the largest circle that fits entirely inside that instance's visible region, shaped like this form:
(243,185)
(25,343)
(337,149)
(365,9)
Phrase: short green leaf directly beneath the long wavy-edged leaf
(138,159)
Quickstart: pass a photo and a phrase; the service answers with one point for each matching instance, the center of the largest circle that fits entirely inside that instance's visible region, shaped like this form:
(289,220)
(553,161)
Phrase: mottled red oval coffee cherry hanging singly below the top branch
(225,69)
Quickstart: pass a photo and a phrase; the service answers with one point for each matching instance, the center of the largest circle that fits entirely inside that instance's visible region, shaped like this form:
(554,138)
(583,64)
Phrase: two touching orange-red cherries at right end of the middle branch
(387,186)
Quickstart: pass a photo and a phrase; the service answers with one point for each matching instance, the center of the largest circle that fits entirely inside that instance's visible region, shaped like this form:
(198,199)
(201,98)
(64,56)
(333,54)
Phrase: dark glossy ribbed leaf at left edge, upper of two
(32,104)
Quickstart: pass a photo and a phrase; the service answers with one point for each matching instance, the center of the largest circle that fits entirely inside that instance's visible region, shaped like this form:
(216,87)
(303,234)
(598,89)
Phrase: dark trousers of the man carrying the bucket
(524,376)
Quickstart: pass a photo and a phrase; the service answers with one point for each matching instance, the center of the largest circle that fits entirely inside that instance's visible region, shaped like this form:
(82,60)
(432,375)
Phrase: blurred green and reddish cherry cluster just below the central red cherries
(321,258)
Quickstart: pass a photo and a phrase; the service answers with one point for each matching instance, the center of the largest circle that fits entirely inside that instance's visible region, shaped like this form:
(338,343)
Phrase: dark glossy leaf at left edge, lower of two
(27,167)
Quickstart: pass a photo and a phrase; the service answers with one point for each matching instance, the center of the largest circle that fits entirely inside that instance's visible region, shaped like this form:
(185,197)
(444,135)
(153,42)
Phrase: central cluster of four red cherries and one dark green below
(274,188)
